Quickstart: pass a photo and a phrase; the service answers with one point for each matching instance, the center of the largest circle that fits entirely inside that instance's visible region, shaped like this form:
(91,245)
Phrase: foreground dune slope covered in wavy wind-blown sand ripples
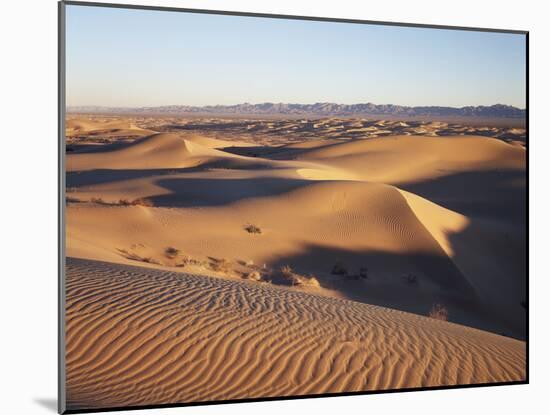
(138,337)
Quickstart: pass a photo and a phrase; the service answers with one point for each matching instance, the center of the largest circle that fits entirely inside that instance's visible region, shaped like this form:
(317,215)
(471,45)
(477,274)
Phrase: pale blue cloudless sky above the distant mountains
(118,57)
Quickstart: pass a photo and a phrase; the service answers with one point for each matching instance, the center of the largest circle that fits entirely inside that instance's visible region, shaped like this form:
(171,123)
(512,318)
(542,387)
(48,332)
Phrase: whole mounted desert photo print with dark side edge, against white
(262,207)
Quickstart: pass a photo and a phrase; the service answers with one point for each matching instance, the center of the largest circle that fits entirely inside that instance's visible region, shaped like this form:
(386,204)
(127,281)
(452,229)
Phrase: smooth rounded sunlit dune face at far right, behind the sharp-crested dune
(405,159)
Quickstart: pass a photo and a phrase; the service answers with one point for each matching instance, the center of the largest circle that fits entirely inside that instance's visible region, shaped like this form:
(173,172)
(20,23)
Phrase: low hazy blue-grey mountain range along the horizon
(318,109)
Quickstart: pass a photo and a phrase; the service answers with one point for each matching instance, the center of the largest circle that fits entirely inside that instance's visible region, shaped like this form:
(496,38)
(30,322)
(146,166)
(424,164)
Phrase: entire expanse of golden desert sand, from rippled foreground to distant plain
(207,267)
